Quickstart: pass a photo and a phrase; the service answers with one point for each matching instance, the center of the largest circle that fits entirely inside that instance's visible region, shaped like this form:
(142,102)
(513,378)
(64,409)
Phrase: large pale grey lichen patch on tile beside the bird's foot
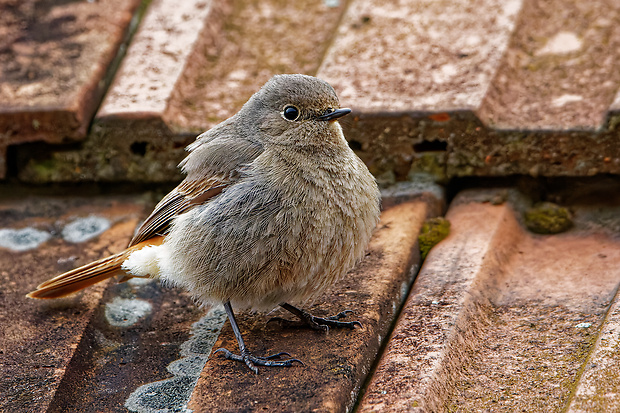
(172,395)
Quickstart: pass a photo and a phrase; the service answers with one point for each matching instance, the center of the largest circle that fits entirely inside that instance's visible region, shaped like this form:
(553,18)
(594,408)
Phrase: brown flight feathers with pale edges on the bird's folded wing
(188,194)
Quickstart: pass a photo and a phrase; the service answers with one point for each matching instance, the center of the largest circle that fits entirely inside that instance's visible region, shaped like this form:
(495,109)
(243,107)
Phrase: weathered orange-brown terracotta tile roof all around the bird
(471,94)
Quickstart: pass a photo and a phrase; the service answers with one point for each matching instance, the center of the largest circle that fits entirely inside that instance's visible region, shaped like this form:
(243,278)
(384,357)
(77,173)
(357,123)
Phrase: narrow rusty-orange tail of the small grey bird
(89,274)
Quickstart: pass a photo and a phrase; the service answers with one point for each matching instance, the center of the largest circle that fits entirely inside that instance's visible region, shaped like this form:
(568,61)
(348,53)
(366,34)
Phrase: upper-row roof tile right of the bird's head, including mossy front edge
(418,86)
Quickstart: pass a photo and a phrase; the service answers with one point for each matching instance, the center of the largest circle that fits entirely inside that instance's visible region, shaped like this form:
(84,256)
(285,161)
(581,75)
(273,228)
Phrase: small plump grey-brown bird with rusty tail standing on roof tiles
(274,209)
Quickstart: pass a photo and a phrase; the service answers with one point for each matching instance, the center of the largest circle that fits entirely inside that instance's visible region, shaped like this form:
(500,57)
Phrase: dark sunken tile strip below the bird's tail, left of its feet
(141,339)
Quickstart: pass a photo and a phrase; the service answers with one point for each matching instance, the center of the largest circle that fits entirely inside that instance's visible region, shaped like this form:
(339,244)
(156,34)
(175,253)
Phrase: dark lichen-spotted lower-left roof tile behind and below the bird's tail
(90,351)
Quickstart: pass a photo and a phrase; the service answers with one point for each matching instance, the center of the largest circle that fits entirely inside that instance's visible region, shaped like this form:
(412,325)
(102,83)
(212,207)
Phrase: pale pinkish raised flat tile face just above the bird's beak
(422,57)
